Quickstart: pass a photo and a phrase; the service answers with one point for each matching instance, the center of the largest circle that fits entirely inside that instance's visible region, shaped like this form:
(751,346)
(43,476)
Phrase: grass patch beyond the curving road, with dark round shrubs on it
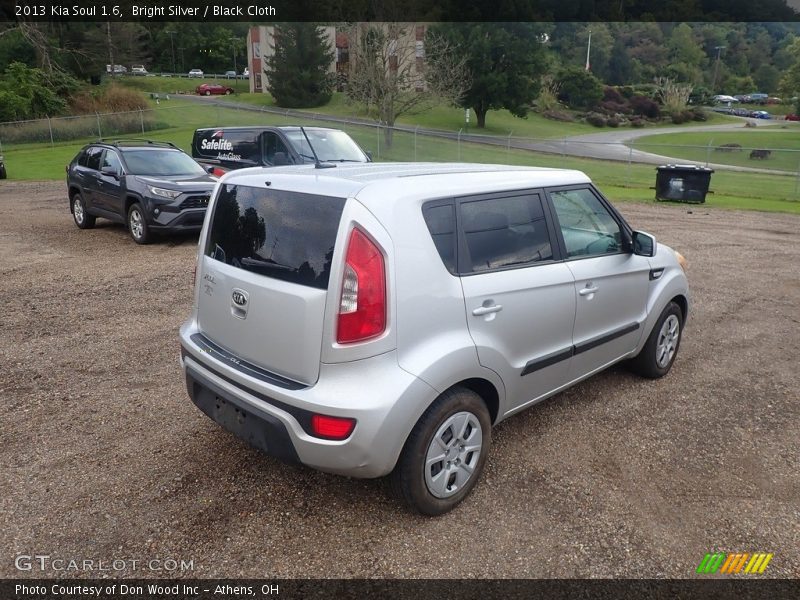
(783,140)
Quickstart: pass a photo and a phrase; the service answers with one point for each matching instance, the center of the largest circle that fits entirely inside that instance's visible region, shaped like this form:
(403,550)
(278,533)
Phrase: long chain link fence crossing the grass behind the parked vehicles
(633,167)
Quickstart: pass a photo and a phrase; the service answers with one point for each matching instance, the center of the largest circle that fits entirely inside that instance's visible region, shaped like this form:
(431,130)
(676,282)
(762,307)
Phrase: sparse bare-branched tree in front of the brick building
(397,73)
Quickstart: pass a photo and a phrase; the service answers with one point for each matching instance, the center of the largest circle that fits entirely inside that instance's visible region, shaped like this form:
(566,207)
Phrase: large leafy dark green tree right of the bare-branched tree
(505,62)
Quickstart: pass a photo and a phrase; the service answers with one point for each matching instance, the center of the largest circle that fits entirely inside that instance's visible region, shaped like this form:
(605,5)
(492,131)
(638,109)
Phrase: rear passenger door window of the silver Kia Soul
(504,232)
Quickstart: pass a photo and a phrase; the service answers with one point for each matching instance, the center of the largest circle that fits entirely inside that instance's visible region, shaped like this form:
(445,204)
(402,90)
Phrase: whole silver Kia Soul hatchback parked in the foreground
(379,319)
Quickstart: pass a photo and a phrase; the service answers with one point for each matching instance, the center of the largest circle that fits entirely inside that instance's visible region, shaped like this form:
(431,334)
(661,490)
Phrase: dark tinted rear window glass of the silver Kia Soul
(283,235)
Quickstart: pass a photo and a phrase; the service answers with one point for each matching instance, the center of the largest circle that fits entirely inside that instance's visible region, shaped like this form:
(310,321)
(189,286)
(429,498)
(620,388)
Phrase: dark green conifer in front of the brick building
(298,72)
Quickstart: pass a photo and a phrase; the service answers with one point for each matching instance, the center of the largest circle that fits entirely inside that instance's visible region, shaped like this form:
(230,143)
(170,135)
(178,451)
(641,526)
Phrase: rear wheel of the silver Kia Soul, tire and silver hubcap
(456,429)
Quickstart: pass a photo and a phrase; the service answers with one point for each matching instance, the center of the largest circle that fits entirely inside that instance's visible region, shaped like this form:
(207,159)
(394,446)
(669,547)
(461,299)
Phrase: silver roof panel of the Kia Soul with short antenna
(377,182)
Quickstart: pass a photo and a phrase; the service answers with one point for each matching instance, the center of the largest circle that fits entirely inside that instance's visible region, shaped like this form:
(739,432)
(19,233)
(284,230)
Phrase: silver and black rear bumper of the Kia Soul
(275,419)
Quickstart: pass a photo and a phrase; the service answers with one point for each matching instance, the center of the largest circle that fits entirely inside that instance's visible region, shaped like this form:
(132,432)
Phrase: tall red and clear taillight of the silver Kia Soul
(362,308)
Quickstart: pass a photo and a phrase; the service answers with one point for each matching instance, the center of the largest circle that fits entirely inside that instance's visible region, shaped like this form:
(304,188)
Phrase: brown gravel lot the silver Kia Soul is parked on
(105,458)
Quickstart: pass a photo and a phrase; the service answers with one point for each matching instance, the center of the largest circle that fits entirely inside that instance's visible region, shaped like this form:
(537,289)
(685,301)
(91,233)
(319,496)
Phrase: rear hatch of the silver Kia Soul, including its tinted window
(264,277)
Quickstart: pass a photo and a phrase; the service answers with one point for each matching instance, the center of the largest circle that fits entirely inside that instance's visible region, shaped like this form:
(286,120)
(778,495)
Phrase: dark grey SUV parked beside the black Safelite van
(149,186)
